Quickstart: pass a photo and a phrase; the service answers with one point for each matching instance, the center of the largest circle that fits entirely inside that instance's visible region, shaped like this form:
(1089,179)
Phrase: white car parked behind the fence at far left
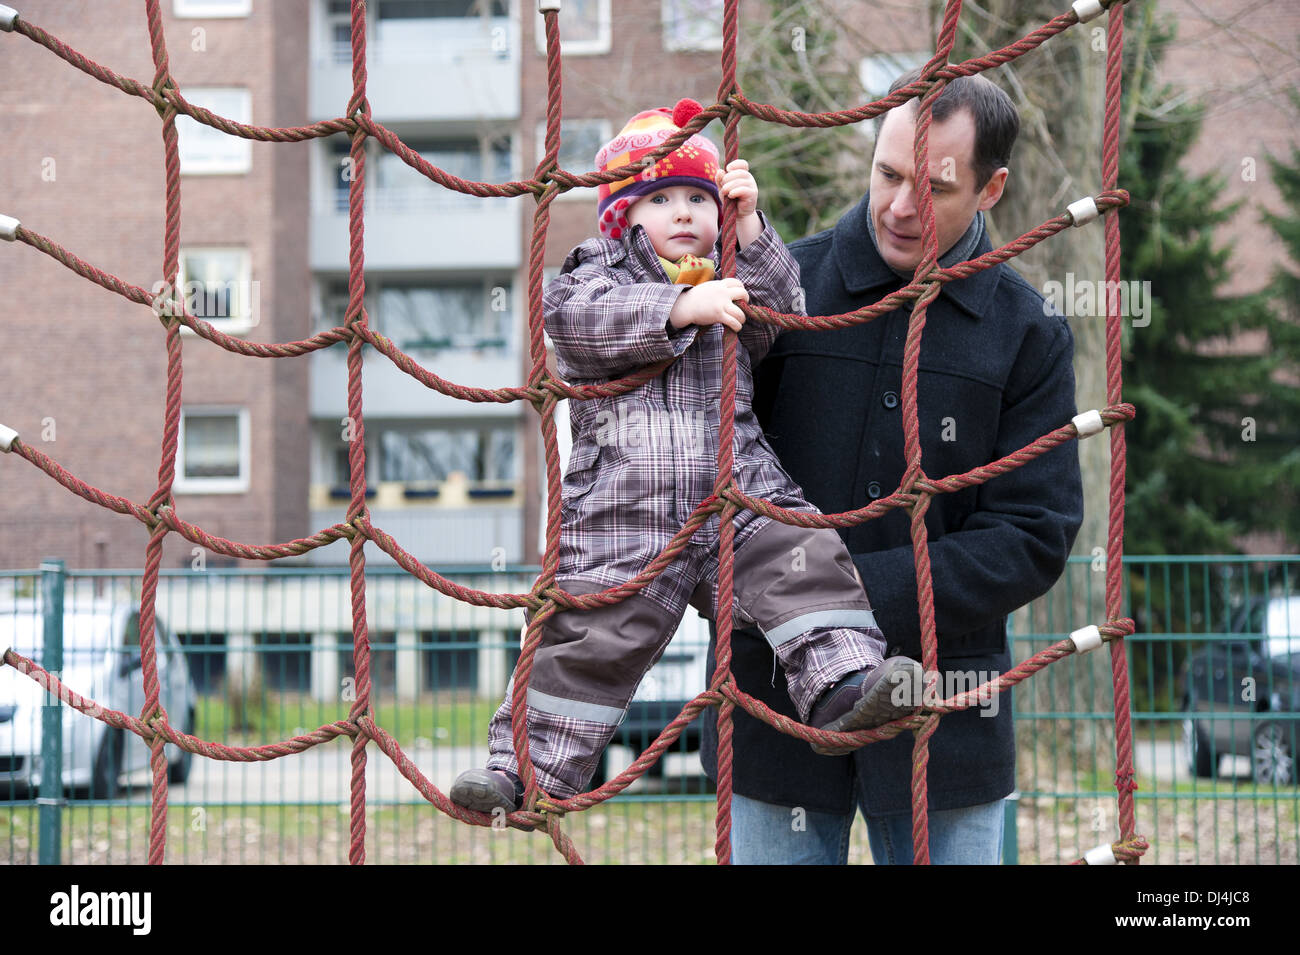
(102,661)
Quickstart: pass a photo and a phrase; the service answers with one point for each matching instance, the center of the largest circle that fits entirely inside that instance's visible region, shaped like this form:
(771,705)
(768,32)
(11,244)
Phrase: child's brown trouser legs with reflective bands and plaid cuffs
(798,585)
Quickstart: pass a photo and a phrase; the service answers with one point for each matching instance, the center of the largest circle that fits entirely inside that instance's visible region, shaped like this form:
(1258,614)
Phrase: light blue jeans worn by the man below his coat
(768,835)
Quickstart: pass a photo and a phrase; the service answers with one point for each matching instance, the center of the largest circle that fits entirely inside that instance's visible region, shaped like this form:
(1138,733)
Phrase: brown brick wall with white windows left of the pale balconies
(84,371)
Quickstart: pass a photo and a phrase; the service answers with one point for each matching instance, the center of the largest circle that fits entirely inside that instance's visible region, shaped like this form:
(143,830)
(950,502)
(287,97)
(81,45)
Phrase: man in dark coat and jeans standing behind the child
(995,375)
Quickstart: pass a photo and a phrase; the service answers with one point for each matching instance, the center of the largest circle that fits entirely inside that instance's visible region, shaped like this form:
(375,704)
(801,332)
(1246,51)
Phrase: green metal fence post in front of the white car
(51,800)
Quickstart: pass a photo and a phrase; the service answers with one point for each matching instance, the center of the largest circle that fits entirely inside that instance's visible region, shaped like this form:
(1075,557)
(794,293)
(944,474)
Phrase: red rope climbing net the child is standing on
(544,390)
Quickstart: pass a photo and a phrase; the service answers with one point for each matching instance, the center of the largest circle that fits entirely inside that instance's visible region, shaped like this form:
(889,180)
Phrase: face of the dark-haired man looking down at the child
(952,184)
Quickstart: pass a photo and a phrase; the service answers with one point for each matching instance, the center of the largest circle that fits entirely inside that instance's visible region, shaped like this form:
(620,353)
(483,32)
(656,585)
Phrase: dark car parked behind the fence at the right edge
(1243,694)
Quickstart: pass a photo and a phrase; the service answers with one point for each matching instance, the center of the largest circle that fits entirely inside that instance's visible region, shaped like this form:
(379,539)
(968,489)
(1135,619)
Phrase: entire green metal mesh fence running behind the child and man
(267,654)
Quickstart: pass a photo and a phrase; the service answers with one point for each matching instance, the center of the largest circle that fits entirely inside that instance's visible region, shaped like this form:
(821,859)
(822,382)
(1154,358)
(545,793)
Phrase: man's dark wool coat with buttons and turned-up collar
(995,375)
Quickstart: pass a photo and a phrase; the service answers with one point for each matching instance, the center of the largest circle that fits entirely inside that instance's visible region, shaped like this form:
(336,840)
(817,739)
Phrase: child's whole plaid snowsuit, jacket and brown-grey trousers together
(642,463)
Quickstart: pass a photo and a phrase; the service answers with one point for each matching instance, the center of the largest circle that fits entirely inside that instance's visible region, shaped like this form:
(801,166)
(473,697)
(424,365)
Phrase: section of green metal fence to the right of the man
(1215,713)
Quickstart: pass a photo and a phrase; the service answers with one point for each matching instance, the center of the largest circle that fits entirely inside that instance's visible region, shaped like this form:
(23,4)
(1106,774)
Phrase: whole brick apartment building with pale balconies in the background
(265,245)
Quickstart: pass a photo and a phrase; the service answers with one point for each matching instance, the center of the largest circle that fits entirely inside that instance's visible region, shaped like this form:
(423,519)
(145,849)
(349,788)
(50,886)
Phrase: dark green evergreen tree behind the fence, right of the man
(1215,410)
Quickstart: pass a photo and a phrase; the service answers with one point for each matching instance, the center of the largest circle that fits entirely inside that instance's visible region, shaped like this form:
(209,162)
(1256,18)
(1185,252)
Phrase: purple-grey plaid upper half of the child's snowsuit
(643,462)
